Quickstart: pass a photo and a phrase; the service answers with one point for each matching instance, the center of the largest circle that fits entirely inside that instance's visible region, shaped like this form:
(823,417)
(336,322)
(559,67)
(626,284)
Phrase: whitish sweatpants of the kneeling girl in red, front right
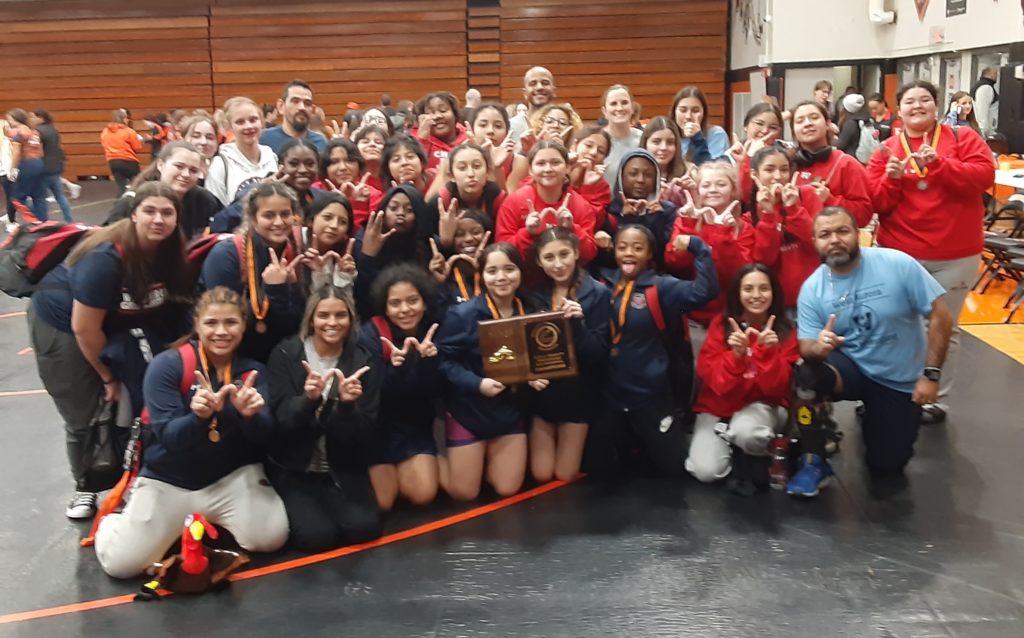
(751,430)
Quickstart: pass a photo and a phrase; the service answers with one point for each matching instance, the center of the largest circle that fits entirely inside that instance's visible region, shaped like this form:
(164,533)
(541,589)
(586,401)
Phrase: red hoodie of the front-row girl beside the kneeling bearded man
(731,384)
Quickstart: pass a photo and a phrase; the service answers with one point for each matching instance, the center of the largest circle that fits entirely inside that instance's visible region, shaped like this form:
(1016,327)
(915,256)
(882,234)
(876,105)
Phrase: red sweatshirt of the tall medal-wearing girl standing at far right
(944,222)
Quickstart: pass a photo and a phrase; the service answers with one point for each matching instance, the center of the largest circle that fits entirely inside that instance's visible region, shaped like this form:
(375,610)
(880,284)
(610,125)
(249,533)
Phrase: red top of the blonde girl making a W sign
(729,251)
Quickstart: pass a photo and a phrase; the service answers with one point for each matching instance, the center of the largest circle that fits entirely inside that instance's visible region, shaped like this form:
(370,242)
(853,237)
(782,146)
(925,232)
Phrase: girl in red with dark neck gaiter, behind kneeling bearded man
(838,179)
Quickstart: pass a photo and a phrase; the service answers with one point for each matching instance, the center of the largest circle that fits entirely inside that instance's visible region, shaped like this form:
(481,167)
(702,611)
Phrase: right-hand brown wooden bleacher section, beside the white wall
(655,48)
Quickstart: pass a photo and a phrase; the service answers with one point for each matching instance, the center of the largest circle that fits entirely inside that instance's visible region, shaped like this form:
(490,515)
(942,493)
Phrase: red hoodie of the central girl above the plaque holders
(511,225)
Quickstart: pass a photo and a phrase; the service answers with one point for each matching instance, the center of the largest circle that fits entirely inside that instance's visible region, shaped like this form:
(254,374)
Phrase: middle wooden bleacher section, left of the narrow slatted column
(346,52)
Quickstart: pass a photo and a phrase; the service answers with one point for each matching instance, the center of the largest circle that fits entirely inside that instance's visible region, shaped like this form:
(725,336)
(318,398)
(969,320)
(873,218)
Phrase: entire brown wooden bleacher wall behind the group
(82,59)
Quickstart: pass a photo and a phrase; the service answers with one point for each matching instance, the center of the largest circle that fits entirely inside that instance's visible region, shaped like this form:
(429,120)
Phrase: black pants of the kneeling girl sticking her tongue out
(653,427)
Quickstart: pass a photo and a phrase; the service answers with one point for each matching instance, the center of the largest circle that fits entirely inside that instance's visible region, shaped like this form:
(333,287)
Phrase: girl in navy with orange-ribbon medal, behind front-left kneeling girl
(261,264)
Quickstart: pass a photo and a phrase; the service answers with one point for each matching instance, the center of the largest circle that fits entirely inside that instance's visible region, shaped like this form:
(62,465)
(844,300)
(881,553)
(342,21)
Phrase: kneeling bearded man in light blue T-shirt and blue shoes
(861,326)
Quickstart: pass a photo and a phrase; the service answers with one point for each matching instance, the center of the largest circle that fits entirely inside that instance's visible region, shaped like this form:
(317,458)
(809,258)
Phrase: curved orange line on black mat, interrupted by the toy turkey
(448,522)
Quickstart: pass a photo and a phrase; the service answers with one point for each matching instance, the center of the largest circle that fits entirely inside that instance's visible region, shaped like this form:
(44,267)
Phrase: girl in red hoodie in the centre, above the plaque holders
(548,201)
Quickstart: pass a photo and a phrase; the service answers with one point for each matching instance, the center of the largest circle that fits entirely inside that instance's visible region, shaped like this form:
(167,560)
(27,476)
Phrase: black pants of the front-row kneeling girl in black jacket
(323,516)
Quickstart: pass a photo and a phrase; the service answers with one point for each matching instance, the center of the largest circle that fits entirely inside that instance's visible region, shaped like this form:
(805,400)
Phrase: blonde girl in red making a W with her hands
(717,220)
